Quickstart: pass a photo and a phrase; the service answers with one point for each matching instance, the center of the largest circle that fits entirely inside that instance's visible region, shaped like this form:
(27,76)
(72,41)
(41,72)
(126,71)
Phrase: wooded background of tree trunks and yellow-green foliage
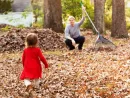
(106,14)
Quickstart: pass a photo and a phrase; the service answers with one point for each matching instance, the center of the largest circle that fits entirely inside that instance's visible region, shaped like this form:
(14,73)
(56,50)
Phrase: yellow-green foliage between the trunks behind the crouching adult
(73,7)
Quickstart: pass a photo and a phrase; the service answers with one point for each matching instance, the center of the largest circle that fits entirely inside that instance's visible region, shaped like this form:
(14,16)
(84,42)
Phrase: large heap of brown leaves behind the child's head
(14,39)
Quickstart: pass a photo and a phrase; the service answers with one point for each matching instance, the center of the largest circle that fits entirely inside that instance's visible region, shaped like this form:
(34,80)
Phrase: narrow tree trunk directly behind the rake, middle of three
(99,6)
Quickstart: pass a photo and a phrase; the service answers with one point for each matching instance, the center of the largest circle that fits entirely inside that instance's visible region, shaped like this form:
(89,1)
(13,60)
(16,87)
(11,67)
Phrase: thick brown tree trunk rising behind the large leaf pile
(53,15)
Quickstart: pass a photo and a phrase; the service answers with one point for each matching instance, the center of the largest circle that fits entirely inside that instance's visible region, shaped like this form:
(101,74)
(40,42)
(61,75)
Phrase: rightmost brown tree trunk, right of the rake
(118,19)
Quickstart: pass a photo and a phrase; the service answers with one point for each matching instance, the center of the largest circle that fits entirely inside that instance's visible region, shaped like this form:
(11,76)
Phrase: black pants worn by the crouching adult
(79,40)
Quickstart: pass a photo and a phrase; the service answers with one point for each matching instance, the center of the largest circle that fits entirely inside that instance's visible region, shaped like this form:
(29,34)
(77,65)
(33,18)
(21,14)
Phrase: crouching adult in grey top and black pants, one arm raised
(72,32)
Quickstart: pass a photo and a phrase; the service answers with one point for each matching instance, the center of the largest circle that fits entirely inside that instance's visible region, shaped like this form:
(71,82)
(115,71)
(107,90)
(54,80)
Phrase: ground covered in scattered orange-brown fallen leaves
(86,74)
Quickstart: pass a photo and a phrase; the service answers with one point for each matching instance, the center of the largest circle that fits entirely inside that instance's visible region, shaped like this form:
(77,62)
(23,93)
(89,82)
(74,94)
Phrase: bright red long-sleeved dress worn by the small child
(31,62)
